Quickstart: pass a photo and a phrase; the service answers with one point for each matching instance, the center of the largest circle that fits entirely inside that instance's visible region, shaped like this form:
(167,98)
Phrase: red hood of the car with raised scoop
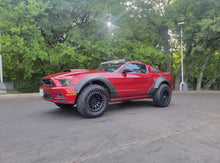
(68,74)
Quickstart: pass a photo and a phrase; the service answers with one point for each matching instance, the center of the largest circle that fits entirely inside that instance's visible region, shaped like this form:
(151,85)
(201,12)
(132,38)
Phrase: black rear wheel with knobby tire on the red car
(162,96)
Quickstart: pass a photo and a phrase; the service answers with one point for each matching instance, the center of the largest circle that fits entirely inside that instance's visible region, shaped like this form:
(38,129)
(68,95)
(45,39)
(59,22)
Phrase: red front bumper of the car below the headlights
(62,95)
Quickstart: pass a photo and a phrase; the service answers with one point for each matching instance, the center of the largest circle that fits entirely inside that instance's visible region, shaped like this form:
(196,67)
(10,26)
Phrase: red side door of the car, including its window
(133,80)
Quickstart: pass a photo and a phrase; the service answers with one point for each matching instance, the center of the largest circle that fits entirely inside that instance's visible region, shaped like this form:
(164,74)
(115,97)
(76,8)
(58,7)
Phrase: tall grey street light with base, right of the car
(183,86)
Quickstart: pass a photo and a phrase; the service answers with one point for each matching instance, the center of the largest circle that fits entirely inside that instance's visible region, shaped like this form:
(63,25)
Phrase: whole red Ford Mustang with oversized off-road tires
(116,80)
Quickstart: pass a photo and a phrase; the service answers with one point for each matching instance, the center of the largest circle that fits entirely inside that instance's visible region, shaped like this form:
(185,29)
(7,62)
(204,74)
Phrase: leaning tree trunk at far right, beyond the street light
(199,80)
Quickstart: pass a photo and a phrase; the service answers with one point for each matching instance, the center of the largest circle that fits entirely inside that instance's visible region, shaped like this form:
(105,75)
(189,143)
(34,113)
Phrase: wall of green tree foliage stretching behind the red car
(43,37)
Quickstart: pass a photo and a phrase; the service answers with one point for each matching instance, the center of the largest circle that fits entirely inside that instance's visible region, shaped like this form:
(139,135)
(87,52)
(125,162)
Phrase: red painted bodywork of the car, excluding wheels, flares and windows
(128,86)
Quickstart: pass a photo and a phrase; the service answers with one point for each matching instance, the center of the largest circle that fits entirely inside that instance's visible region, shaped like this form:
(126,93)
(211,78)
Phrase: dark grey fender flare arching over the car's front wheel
(89,79)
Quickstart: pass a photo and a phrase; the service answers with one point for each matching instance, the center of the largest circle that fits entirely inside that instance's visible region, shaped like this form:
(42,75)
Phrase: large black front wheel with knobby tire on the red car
(92,101)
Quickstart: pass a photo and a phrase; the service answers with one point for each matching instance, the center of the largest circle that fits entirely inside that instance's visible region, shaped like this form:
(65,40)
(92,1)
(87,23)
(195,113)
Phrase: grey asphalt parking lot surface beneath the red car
(35,131)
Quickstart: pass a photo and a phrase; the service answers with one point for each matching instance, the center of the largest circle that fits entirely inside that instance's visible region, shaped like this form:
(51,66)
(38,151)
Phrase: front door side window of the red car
(136,68)
